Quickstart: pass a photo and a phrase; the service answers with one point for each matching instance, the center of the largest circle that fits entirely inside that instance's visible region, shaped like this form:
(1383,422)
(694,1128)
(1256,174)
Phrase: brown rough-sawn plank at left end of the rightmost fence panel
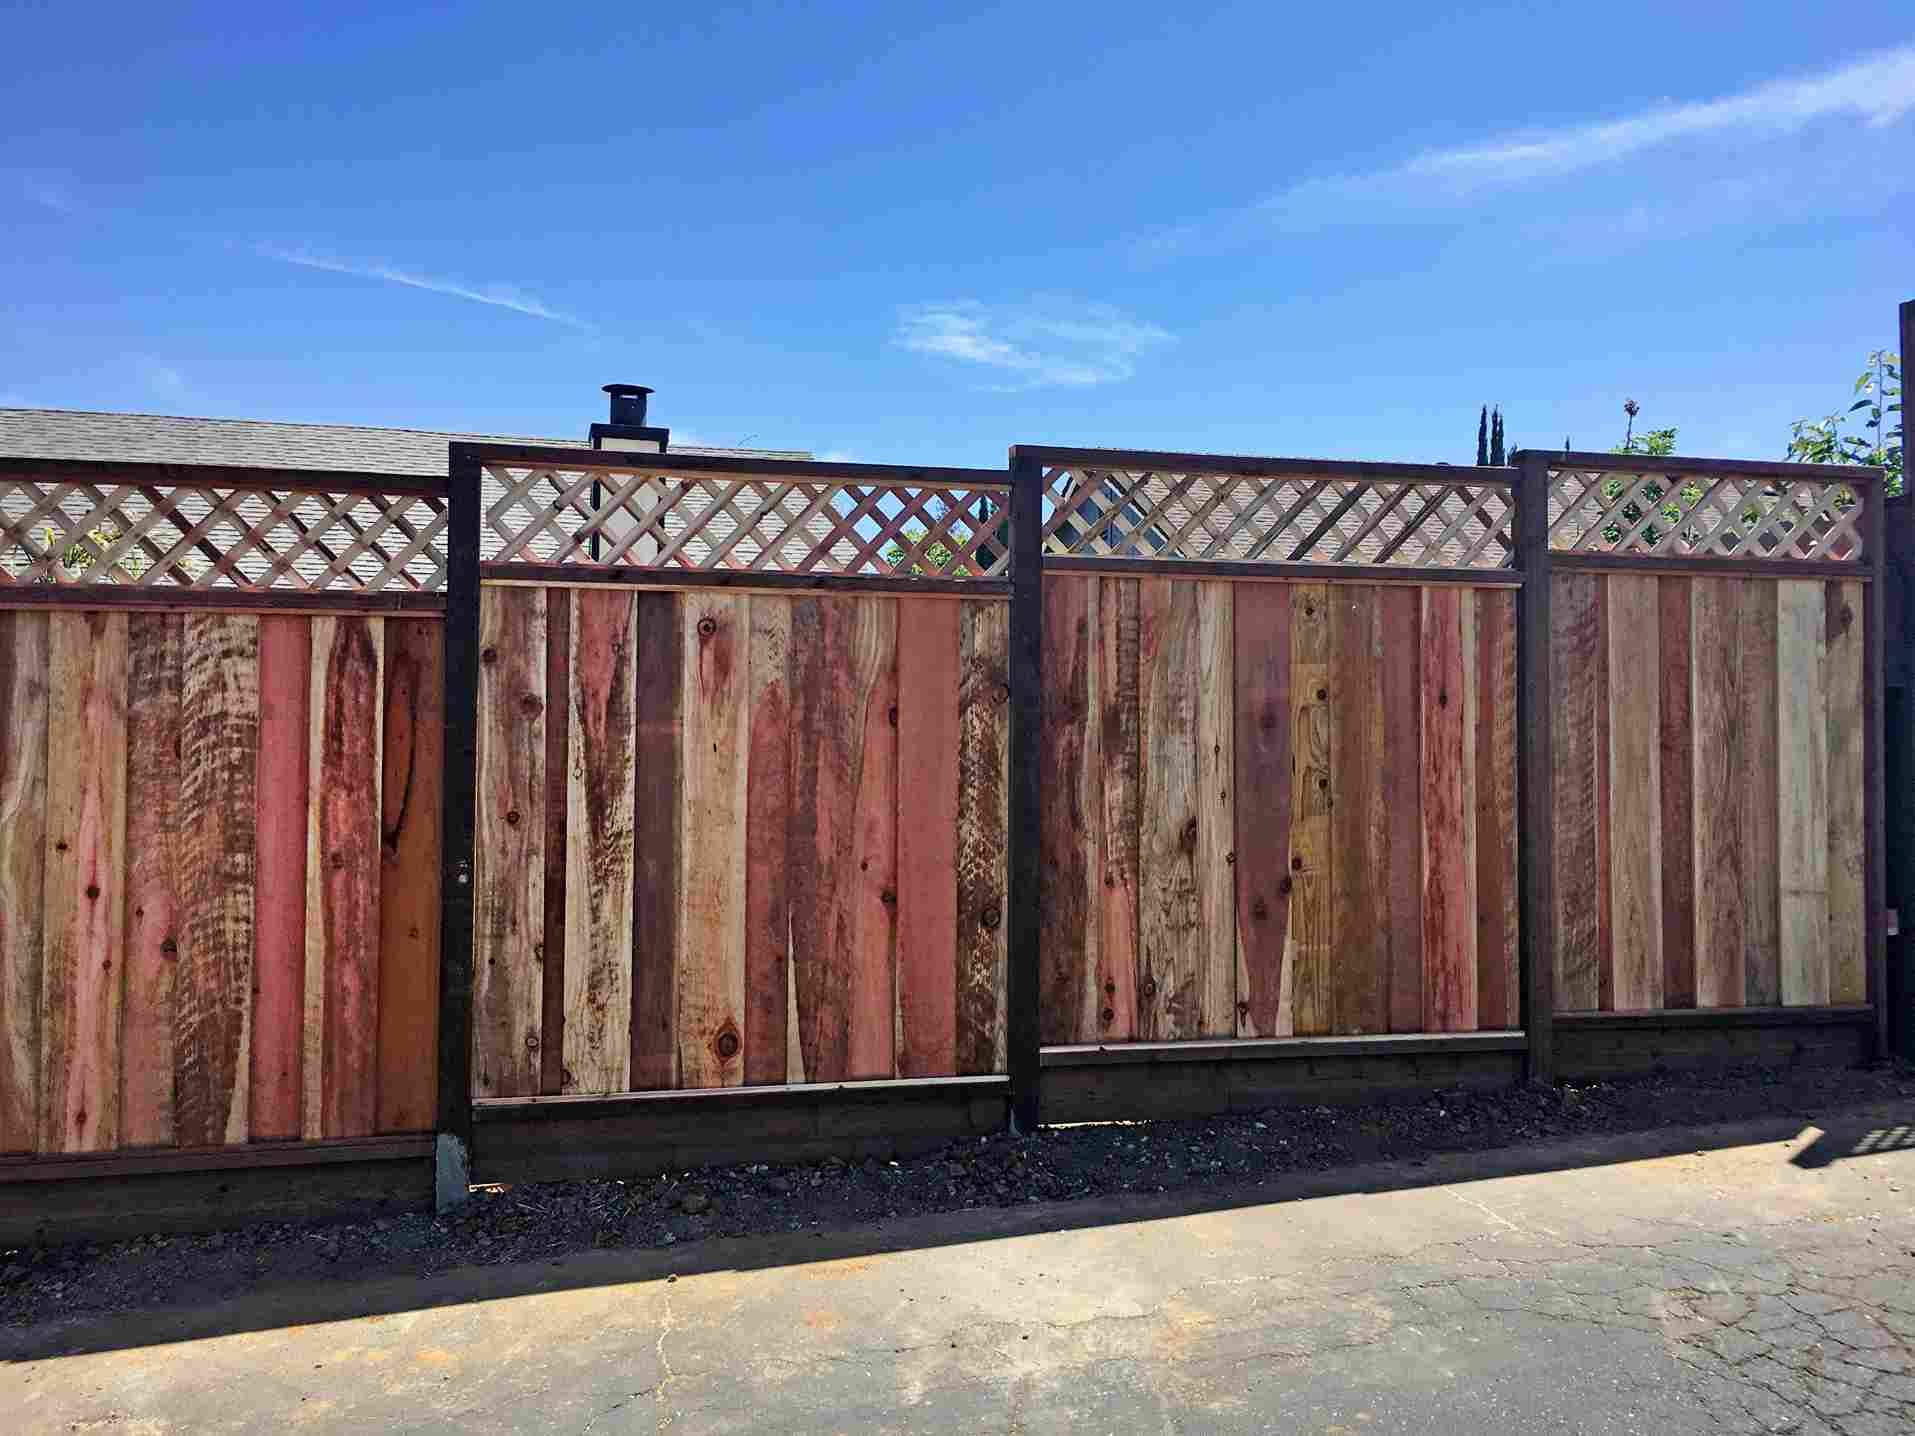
(1577,677)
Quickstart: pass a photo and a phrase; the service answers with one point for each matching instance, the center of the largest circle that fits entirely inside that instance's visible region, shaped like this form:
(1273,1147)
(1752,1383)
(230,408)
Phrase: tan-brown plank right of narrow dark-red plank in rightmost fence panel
(1723,774)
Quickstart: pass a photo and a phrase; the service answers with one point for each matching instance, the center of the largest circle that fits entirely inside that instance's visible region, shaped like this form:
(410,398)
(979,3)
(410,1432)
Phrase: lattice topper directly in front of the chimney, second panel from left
(662,520)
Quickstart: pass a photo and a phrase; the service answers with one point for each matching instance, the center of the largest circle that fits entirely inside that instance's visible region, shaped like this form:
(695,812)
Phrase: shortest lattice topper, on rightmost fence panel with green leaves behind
(1703,516)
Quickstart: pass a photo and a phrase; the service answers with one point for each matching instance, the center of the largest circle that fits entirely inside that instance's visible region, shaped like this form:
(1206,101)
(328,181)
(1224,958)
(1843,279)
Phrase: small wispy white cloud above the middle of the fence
(1043,346)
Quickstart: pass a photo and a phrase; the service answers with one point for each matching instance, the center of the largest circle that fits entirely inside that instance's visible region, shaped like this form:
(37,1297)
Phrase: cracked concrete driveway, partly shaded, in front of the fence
(1753,1278)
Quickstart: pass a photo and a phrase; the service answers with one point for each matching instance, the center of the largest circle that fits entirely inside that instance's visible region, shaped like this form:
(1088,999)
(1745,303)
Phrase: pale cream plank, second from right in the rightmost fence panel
(1803,792)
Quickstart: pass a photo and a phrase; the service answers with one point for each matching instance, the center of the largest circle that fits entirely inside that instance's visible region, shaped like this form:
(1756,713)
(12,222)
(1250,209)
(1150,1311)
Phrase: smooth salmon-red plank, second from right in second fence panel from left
(928,836)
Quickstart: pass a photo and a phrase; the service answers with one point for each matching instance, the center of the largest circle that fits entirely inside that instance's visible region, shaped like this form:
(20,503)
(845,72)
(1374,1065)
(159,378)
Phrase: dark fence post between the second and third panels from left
(1025,857)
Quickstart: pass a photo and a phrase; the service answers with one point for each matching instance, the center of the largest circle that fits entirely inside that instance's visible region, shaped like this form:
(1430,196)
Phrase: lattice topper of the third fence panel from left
(1140,514)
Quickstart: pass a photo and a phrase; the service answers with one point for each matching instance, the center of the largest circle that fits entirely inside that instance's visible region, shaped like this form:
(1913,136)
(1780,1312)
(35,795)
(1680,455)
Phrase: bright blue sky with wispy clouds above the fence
(899,235)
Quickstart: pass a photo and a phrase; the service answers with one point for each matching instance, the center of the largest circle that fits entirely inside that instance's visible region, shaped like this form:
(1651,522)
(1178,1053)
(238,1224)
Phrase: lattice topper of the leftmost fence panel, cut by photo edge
(219,537)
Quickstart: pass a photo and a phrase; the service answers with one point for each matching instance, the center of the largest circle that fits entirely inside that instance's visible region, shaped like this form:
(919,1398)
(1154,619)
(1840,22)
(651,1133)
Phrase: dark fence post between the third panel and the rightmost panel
(1535,769)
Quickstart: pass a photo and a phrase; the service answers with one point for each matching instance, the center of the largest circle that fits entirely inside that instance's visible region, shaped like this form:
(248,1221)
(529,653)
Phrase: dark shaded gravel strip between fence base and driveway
(549,1221)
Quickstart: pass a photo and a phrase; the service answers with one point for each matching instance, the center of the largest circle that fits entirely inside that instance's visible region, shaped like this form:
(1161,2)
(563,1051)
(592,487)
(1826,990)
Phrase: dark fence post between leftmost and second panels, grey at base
(457,828)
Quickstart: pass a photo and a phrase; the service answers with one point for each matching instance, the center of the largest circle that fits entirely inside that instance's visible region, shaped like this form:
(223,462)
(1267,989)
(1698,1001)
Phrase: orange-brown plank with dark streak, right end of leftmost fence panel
(411,797)
